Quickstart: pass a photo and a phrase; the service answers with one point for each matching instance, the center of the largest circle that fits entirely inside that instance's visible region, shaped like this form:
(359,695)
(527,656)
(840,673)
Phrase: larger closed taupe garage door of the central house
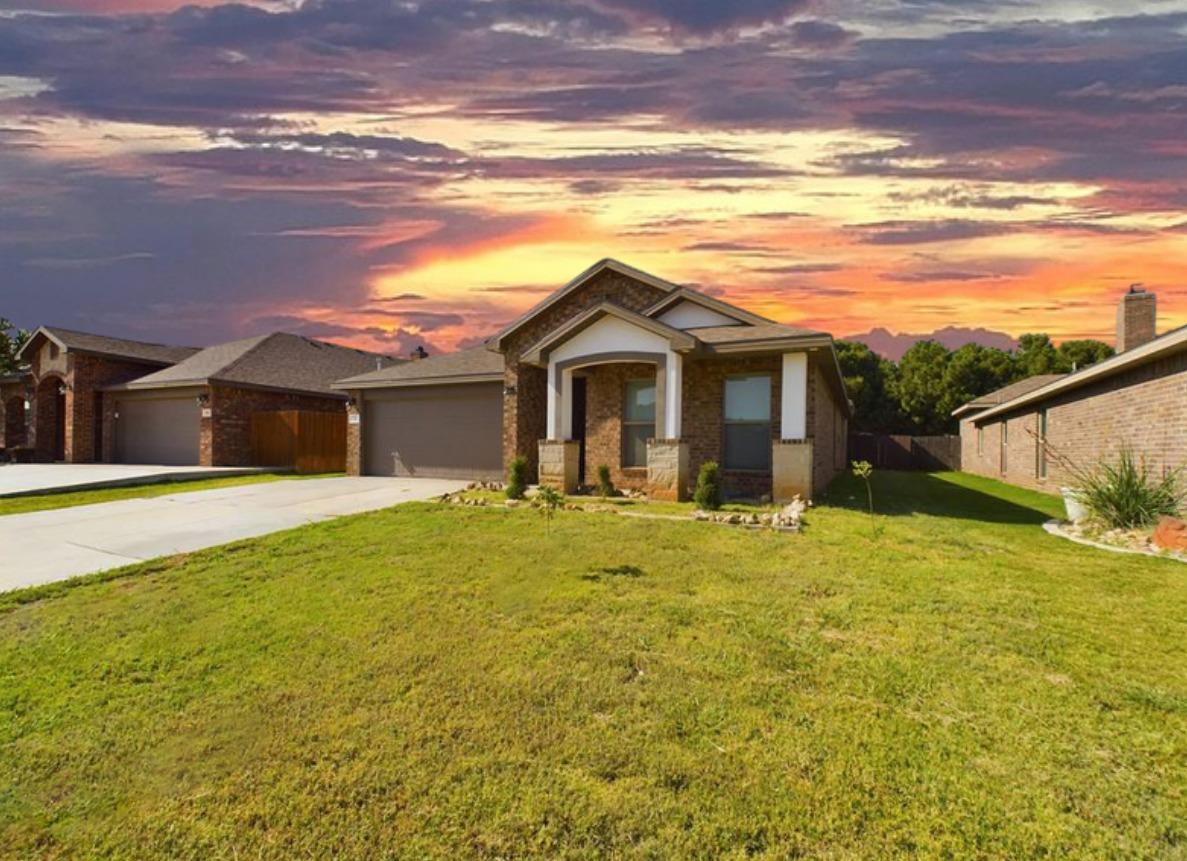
(435,432)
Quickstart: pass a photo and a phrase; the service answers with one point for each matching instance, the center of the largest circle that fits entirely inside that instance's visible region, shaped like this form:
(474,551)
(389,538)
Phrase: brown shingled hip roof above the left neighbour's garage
(280,360)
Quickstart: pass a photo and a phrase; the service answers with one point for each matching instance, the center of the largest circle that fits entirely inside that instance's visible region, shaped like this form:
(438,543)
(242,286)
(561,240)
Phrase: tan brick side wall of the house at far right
(1145,408)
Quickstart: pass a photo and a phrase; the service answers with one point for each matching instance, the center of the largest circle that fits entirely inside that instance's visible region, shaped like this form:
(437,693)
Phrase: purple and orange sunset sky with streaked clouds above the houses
(388,174)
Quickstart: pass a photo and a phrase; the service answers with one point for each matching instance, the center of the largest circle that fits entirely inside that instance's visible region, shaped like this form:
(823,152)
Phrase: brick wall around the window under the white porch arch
(605,394)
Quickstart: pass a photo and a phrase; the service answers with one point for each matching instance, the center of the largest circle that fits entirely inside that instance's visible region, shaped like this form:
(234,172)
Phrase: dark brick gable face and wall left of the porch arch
(525,411)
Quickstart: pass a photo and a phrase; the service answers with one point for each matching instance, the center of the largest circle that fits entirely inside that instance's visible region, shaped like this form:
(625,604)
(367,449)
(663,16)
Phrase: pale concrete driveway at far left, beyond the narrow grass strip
(26,479)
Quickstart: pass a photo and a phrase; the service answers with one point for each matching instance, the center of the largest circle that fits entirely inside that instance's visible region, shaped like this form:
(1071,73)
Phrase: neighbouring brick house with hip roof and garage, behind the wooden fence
(200,410)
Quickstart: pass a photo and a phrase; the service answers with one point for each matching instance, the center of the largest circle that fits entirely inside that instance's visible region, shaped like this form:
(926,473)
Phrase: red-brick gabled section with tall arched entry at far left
(68,372)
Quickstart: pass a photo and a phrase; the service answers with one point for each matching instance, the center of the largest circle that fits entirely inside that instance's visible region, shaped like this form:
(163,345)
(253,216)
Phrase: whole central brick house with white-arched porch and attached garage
(620,369)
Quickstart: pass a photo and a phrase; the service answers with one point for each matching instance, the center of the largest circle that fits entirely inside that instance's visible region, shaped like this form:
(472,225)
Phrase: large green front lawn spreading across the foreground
(447,682)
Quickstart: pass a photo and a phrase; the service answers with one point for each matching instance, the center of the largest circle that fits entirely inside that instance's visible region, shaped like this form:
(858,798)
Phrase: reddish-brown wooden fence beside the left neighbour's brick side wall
(309,442)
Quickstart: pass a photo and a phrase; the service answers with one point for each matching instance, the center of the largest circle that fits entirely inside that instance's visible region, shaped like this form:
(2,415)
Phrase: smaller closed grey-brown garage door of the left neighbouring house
(157,430)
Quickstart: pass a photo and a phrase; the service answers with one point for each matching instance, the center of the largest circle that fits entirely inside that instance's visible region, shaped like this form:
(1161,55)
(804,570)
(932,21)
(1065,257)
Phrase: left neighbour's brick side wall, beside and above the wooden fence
(226,438)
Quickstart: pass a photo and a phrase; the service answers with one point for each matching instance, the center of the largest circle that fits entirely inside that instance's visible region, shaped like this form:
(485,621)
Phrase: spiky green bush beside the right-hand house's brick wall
(1126,495)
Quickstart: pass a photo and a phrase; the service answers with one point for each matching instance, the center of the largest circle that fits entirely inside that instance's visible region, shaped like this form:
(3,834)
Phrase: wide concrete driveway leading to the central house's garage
(52,546)
